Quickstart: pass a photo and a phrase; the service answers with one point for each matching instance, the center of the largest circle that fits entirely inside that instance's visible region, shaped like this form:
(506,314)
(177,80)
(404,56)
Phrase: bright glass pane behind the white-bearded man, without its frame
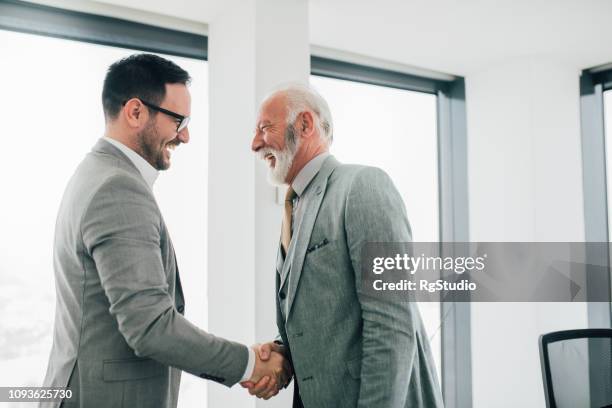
(395,130)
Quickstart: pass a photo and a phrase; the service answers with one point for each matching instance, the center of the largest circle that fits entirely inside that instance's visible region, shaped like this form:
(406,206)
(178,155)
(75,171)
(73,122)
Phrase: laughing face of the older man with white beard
(275,141)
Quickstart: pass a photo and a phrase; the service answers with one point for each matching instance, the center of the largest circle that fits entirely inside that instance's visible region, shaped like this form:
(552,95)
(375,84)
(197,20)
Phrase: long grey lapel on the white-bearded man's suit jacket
(311,203)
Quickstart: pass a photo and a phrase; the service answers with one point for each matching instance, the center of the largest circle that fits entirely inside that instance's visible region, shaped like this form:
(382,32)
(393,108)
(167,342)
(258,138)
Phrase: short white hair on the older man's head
(301,98)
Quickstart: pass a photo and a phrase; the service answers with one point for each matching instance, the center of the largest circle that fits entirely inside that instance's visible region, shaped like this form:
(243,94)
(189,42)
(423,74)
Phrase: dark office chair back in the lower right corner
(577,368)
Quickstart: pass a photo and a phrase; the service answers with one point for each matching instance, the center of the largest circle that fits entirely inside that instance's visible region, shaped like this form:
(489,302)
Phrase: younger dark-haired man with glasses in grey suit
(120,338)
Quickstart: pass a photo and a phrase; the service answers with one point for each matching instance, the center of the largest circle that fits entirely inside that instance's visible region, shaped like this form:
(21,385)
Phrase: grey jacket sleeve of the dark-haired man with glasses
(121,231)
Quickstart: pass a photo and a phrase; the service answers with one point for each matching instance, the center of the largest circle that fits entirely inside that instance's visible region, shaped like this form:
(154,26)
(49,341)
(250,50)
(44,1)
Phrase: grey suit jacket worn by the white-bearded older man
(349,350)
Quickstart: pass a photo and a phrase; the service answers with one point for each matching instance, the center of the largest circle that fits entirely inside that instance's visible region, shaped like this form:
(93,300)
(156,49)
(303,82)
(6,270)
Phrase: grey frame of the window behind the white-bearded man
(453,201)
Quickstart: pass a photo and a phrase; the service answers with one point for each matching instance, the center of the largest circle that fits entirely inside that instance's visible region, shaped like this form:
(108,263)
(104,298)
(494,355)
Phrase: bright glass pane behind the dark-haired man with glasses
(52,110)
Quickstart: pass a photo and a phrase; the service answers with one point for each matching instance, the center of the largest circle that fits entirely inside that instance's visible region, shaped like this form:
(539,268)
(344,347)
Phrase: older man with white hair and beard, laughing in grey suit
(346,350)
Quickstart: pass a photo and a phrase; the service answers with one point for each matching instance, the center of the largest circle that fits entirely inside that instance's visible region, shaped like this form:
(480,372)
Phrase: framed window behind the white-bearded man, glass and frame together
(414,128)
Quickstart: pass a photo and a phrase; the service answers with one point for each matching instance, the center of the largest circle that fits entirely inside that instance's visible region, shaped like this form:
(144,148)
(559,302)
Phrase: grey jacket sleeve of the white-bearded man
(375,213)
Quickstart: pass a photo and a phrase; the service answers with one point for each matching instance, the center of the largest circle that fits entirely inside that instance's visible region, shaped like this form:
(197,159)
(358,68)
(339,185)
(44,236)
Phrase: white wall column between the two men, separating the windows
(253,46)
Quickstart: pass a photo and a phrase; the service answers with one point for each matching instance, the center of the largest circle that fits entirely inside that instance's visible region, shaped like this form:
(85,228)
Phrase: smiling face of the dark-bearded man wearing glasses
(159,138)
